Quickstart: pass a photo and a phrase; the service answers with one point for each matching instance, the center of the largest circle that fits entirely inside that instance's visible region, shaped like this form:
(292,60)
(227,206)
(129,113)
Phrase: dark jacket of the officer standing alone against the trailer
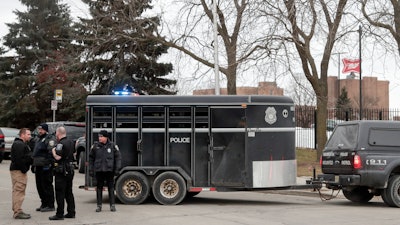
(104,158)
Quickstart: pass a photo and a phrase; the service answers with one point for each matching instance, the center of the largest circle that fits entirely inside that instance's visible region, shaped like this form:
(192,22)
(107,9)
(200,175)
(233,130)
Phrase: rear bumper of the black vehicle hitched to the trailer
(340,180)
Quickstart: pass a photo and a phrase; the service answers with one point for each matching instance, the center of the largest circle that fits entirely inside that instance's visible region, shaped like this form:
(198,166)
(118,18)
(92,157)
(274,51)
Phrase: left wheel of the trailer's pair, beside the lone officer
(132,188)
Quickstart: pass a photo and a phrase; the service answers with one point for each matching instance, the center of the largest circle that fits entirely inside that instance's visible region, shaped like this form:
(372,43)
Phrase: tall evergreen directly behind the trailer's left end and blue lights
(117,52)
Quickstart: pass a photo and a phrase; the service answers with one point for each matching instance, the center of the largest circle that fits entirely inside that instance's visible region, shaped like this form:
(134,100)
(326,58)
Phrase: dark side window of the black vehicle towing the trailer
(384,137)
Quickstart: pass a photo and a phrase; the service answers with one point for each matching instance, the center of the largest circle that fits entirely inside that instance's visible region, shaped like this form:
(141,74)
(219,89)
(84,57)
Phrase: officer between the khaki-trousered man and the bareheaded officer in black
(42,167)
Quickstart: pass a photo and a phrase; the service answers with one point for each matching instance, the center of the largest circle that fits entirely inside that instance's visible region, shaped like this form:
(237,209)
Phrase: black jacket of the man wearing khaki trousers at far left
(21,156)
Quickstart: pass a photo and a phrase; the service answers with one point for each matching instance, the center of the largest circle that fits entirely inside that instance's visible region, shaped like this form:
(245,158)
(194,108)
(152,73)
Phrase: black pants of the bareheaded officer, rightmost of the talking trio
(64,192)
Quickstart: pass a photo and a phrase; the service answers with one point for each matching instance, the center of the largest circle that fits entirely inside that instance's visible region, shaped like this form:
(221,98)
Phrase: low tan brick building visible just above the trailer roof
(264,88)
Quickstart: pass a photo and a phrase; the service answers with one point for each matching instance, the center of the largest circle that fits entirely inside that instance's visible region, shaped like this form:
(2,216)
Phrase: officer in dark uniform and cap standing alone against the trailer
(105,162)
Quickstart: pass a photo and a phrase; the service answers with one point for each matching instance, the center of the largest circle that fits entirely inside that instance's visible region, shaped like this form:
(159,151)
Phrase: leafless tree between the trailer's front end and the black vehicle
(310,25)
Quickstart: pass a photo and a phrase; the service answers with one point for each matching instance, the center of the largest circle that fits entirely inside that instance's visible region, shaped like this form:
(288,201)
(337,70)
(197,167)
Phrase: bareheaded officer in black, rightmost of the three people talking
(63,153)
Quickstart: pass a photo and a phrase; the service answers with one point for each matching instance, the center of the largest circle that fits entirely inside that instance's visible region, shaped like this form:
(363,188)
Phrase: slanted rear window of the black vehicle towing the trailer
(344,137)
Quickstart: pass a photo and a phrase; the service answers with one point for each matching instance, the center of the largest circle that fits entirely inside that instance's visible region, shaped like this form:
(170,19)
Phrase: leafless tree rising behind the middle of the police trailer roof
(191,33)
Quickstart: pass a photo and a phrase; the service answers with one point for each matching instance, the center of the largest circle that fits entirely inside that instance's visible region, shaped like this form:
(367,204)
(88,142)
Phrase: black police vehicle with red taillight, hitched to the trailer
(363,159)
